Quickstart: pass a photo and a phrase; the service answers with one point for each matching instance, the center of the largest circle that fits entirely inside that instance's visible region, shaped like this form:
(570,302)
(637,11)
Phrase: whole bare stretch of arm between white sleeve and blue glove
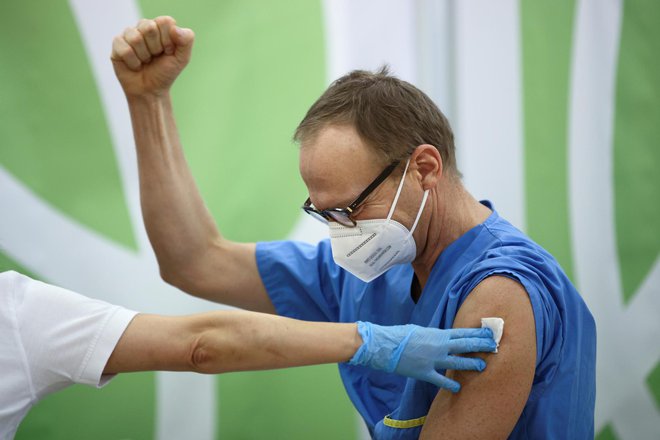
(223,341)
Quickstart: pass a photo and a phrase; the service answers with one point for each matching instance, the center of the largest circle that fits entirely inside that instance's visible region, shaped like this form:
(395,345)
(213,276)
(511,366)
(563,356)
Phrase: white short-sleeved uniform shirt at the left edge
(50,338)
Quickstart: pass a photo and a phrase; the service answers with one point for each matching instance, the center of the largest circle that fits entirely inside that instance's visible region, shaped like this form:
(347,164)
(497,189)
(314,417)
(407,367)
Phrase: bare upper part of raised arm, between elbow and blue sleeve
(225,273)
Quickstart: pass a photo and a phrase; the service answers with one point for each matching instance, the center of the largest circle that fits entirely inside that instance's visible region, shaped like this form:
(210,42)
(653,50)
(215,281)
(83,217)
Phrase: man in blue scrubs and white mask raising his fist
(408,244)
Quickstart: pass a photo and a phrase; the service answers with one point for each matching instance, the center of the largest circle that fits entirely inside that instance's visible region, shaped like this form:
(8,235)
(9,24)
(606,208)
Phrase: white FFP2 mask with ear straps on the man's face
(373,246)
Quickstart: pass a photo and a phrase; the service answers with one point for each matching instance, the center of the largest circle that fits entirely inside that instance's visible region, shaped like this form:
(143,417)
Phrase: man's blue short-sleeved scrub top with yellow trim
(304,282)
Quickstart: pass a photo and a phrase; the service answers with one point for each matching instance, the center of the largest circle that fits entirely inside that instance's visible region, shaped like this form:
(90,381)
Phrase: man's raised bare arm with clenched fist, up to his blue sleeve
(191,253)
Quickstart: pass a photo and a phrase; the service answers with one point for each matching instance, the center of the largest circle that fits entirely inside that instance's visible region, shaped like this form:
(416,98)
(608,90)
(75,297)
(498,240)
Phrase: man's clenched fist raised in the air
(147,58)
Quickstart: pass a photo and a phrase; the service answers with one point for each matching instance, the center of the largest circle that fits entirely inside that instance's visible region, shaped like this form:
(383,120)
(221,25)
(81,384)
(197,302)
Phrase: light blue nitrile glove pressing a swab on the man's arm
(420,352)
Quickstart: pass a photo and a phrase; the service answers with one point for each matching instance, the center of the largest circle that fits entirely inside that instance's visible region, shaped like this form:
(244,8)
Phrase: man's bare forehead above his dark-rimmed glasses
(336,166)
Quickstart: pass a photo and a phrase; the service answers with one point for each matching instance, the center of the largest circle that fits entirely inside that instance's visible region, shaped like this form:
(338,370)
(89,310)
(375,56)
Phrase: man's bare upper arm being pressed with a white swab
(490,403)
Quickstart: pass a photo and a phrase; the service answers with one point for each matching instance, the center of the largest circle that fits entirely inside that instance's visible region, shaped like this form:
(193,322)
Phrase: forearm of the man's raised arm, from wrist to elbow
(179,226)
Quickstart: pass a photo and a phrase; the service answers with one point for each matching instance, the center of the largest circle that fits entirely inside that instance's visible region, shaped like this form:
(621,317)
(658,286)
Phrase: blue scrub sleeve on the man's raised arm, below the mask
(302,280)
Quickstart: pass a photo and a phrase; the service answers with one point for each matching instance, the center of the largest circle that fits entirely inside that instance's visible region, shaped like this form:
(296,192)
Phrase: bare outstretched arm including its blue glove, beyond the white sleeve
(223,341)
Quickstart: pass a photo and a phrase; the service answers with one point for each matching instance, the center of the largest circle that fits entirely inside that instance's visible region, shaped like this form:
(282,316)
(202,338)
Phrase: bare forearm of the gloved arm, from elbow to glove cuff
(238,341)
